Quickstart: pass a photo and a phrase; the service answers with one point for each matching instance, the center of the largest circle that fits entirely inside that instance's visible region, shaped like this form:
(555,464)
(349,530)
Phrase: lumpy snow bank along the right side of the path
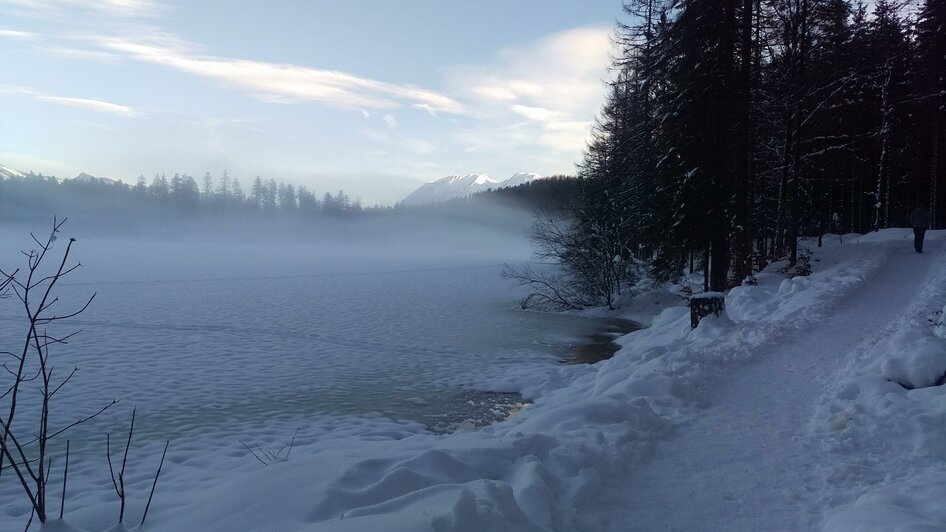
(882,424)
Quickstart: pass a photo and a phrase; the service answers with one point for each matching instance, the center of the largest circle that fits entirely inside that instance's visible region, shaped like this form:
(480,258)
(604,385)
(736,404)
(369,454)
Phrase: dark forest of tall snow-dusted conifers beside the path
(734,128)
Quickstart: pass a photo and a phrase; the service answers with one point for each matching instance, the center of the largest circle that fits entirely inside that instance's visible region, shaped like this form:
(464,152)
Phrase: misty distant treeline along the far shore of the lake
(34,197)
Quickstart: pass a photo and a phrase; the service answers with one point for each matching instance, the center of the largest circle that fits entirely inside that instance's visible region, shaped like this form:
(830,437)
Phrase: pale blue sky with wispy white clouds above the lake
(372,97)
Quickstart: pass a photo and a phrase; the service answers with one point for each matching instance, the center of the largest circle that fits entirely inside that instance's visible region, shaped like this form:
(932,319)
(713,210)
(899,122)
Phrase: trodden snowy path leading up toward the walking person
(748,463)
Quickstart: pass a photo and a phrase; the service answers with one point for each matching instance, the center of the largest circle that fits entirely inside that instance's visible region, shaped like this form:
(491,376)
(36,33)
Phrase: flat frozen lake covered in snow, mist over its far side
(229,336)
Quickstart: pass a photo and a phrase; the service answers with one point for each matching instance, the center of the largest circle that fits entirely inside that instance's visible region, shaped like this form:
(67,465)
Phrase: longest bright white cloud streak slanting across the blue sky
(282,82)
